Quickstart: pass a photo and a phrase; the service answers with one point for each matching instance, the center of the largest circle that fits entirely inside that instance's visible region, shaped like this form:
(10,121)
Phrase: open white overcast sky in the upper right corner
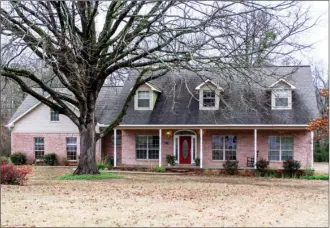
(318,34)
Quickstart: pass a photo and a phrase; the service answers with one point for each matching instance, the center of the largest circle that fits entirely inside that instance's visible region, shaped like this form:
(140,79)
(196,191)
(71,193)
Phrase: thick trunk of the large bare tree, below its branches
(87,160)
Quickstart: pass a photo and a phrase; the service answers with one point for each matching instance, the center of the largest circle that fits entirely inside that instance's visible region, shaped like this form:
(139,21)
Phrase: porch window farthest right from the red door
(280,148)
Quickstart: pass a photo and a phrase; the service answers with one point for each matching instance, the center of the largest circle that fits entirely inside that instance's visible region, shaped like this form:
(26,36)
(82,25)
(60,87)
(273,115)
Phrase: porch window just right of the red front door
(224,147)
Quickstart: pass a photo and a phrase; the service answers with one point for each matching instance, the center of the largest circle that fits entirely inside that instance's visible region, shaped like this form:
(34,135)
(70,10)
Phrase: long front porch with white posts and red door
(149,147)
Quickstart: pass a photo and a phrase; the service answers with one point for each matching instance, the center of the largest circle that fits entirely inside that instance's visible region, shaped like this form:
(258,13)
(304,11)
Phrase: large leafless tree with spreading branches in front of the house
(152,37)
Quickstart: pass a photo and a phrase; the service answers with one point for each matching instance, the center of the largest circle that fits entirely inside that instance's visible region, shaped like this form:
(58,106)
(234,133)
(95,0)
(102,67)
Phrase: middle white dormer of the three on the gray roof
(209,95)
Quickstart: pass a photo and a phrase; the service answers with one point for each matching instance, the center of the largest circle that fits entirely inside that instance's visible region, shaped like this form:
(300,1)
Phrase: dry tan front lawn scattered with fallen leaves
(152,200)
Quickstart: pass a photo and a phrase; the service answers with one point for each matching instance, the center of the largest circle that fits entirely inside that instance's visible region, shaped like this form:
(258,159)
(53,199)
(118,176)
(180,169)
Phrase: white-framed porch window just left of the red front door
(147,147)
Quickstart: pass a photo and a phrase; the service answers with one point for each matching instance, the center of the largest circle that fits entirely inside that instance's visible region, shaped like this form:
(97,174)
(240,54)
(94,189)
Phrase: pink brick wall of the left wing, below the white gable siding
(54,143)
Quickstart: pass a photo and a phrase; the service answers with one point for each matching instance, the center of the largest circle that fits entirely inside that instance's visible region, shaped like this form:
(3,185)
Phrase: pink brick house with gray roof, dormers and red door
(206,115)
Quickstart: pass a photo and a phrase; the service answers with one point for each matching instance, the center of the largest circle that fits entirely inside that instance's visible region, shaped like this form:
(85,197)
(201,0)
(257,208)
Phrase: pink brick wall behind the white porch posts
(245,146)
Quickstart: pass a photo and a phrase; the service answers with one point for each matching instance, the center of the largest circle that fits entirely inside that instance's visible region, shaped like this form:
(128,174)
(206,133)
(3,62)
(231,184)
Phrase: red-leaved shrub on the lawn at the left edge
(13,175)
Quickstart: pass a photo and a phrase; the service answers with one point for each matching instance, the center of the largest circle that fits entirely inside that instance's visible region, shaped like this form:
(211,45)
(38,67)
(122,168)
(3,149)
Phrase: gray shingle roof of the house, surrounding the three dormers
(243,102)
